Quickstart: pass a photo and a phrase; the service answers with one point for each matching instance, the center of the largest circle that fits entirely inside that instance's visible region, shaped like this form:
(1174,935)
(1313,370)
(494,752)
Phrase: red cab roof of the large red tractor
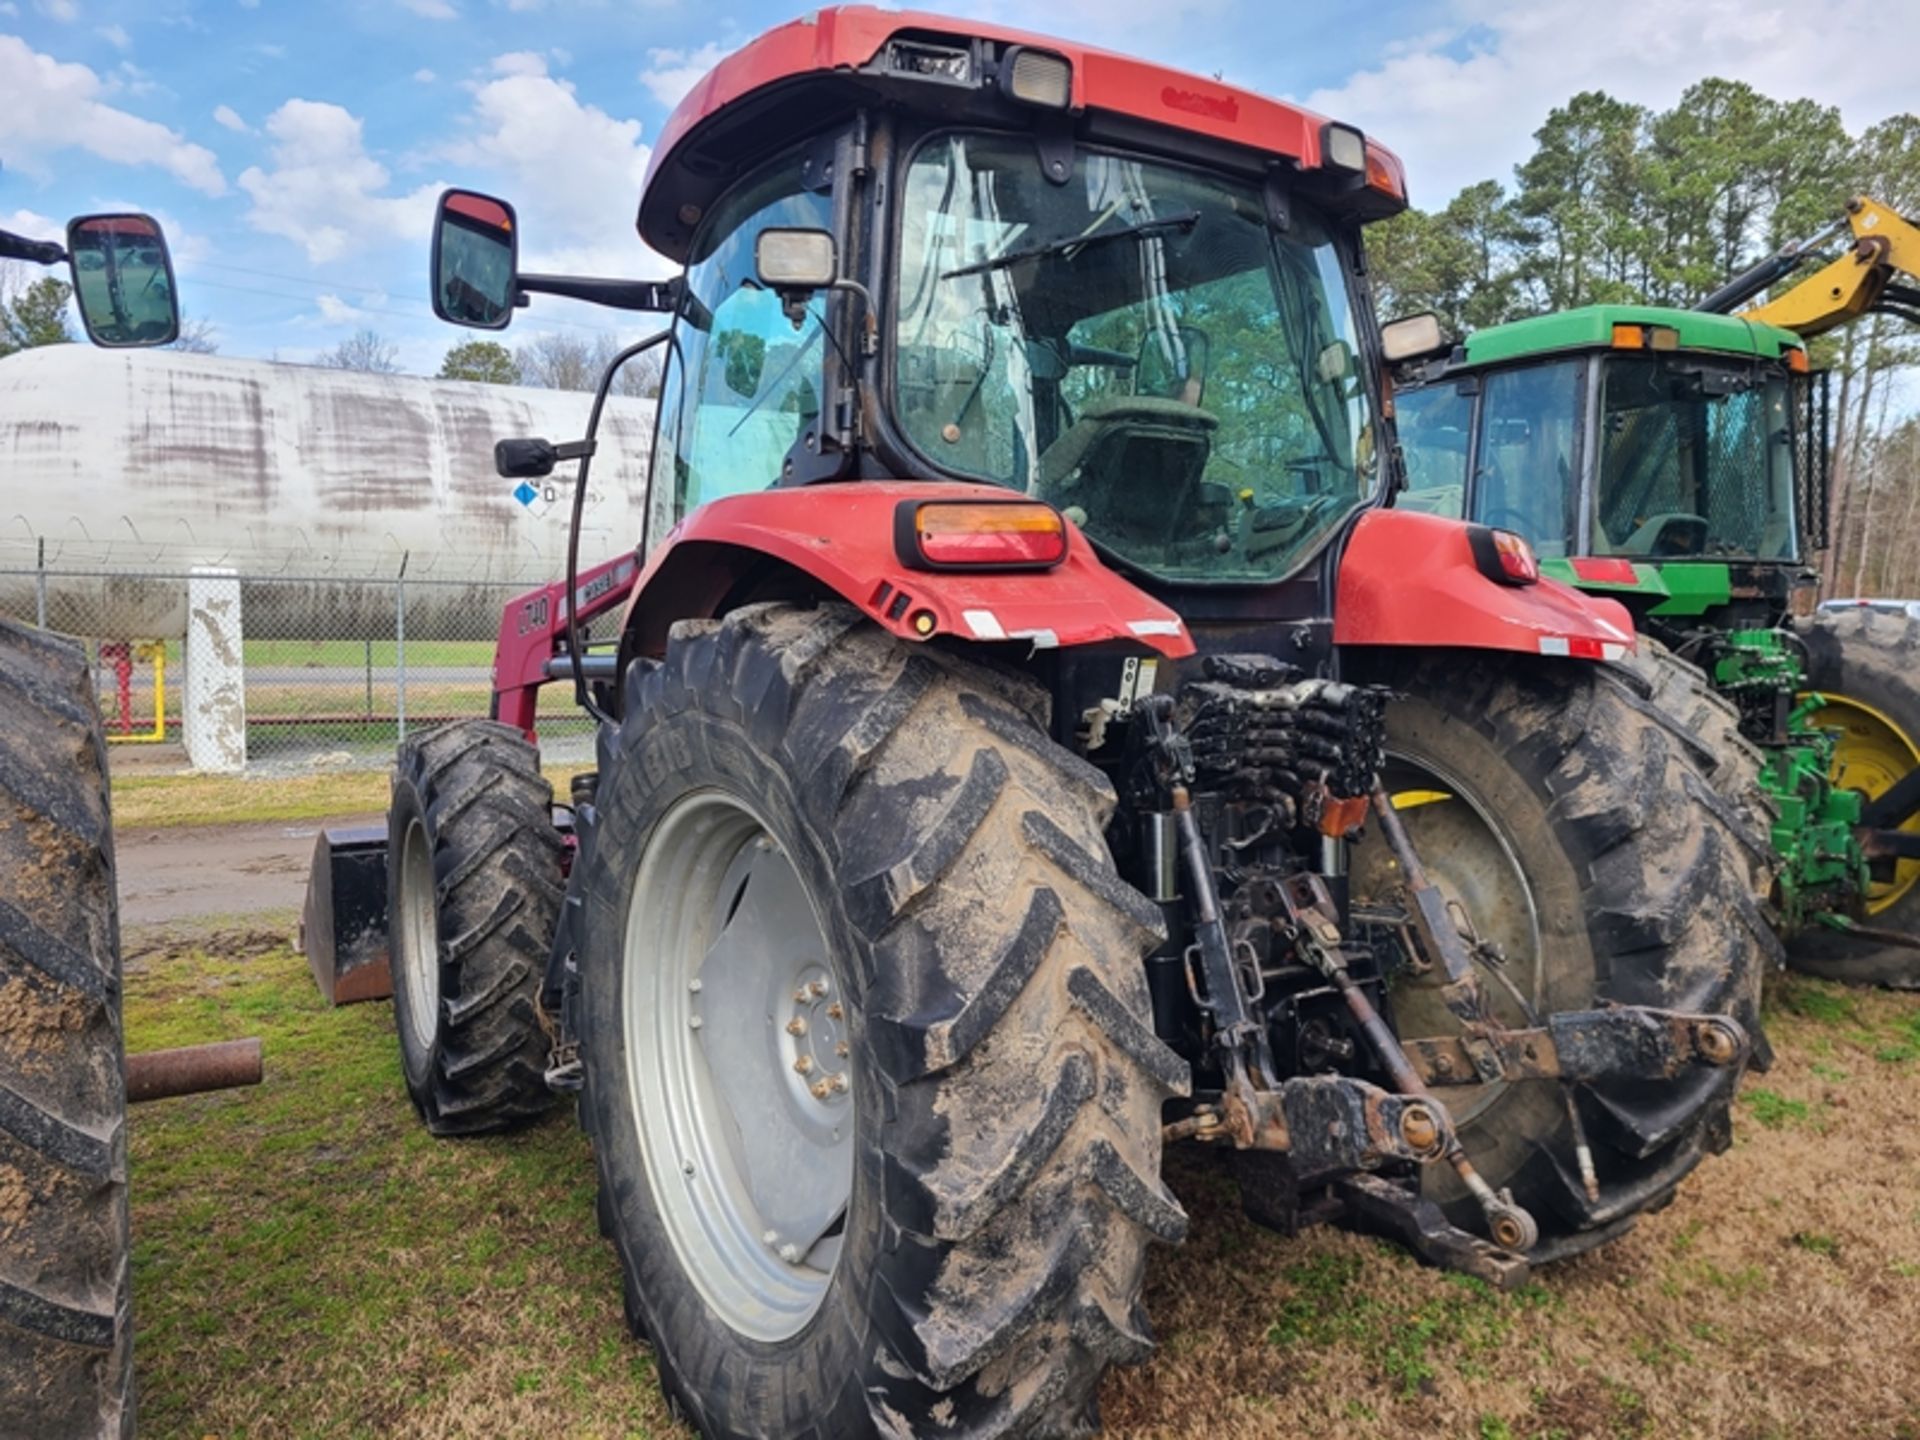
(809,74)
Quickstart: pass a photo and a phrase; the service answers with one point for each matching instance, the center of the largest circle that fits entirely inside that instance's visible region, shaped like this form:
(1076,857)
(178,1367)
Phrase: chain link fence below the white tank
(333,671)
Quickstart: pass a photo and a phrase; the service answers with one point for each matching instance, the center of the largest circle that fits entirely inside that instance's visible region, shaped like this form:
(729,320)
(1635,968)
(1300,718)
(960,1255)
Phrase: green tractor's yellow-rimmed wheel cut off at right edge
(1869,667)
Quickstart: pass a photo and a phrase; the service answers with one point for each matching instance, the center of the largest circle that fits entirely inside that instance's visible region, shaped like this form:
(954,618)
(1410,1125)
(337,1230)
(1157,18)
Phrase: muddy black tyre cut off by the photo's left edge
(66,1324)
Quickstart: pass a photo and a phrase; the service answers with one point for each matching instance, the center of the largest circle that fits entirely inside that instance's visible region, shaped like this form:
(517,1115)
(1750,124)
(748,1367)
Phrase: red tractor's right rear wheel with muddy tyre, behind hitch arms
(1581,830)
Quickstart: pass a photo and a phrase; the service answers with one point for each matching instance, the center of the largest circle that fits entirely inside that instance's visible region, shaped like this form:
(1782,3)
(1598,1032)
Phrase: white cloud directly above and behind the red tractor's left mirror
(571,168)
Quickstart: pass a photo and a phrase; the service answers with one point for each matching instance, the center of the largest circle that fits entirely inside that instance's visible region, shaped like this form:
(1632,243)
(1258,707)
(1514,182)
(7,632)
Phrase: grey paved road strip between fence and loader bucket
(187,873)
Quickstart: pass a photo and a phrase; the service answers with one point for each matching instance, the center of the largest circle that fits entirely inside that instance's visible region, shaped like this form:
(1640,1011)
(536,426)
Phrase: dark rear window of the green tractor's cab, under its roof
(1696,458)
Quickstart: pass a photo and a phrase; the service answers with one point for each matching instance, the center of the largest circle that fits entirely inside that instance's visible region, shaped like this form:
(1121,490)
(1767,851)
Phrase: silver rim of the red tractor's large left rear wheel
(738,1065)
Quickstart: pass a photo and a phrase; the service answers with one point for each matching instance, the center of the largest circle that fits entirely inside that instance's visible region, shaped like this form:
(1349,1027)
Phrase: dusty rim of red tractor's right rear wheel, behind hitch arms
(1472,861)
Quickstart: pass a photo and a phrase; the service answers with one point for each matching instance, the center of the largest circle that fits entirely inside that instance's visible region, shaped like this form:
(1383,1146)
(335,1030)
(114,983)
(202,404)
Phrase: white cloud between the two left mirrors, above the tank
(325,191)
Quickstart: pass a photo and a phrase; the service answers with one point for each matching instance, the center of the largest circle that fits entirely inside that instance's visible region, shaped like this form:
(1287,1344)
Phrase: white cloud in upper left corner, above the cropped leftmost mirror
(55,107)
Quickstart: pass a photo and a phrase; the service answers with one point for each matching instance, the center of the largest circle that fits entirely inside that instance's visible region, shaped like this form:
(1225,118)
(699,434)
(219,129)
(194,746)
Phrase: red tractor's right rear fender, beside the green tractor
(1410,579)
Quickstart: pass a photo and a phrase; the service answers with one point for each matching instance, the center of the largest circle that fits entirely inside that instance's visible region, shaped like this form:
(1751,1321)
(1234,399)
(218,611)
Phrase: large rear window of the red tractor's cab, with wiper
(1138,347)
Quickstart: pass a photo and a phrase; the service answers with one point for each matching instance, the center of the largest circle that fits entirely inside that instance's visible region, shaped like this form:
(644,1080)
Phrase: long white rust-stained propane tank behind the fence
(147,462)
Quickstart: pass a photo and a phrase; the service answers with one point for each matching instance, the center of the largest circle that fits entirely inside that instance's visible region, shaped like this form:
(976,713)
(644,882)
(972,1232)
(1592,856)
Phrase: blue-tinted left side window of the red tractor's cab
(742,381)
